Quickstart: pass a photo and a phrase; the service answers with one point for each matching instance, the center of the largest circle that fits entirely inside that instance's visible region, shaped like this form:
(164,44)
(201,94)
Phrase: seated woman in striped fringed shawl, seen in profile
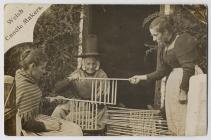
(29,96)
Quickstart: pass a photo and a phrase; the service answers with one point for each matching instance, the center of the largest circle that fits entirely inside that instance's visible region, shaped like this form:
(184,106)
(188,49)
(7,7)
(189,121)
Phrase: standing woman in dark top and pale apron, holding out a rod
(177,58)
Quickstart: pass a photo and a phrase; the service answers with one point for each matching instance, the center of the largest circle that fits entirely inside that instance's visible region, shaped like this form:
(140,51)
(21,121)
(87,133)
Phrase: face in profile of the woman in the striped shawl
(38,71)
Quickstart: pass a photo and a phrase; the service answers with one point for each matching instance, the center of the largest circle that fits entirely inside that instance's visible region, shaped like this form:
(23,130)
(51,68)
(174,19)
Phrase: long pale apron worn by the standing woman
(175,111)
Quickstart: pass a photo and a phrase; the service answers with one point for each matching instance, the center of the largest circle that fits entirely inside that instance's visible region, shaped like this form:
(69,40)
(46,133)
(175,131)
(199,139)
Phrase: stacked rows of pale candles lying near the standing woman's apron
(135,122)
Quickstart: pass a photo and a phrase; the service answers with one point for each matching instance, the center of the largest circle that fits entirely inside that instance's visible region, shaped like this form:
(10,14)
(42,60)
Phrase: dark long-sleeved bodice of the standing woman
(182,52)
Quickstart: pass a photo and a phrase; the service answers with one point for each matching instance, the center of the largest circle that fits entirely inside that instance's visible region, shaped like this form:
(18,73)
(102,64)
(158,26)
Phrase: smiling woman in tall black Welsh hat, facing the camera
(82,88)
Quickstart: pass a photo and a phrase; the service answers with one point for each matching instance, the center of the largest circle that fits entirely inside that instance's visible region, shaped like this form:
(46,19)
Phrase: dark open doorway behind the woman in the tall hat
(121,41)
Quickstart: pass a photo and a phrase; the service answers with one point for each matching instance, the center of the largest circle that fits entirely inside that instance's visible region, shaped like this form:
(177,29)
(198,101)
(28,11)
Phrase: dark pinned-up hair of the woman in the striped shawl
(29,56)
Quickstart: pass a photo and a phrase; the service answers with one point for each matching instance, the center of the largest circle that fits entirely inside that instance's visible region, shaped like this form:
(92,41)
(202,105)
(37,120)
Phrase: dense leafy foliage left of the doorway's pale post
(57,32)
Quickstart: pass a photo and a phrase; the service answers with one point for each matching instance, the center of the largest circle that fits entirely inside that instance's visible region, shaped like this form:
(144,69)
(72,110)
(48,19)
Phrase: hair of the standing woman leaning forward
(163,23)
